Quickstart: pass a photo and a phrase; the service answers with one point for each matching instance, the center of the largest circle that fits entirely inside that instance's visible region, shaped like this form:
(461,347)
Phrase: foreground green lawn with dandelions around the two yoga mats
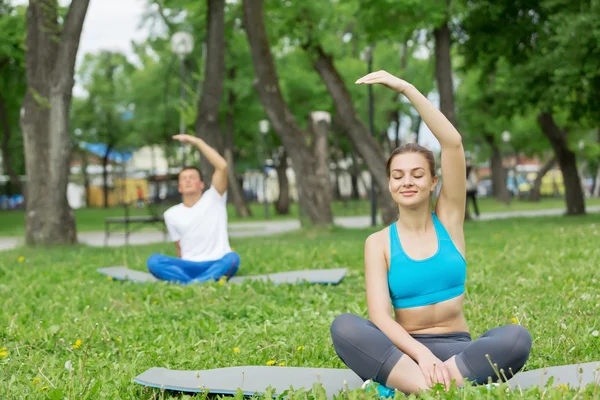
(539,272)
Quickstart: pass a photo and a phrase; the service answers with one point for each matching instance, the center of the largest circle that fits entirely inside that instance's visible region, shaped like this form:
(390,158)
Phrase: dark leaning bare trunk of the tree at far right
(567,163)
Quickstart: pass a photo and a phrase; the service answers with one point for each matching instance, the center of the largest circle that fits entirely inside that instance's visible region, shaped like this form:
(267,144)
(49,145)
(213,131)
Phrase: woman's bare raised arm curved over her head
(451,203)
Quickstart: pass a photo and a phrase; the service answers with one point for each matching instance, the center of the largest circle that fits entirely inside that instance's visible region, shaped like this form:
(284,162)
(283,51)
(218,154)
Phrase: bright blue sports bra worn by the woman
(414,283)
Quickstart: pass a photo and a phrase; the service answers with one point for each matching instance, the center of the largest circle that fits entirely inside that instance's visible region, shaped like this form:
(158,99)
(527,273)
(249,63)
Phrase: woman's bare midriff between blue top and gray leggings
(443,317)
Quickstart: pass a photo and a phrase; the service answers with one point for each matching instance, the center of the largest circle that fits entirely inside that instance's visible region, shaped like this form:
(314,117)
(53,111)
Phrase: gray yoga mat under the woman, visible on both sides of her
(256,379)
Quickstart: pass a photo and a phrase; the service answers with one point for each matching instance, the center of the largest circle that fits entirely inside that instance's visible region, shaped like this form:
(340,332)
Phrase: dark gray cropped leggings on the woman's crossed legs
(371,354)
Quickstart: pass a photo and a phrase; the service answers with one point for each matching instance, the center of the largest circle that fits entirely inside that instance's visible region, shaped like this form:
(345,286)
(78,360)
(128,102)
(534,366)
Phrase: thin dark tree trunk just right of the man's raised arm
(237,194)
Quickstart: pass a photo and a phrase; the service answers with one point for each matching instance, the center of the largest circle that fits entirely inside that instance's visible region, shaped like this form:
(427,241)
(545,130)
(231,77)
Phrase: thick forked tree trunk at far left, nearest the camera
(50,64)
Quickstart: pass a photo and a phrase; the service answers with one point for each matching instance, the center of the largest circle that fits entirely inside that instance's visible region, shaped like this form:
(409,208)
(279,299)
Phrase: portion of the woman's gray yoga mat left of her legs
(251,379)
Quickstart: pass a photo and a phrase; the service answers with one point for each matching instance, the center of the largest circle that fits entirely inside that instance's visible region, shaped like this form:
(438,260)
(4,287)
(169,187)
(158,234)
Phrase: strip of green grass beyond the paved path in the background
(92,219)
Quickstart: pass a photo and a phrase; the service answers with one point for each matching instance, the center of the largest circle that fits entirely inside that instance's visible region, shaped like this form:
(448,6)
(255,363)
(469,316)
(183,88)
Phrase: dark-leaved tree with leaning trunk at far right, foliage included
(541,68)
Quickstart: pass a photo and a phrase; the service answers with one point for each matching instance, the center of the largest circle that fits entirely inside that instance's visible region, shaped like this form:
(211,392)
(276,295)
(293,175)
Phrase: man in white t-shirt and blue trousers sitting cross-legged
(198,226)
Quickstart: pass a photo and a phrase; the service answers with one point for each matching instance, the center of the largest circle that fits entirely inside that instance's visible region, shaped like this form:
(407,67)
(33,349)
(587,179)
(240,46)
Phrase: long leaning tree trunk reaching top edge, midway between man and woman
(314,196)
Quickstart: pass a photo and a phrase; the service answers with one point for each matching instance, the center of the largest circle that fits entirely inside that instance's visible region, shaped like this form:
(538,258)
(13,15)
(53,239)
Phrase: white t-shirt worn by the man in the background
(202,228)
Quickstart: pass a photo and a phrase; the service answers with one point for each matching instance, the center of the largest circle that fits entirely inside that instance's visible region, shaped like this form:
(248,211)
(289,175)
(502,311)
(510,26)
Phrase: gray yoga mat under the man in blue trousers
(314,276)
